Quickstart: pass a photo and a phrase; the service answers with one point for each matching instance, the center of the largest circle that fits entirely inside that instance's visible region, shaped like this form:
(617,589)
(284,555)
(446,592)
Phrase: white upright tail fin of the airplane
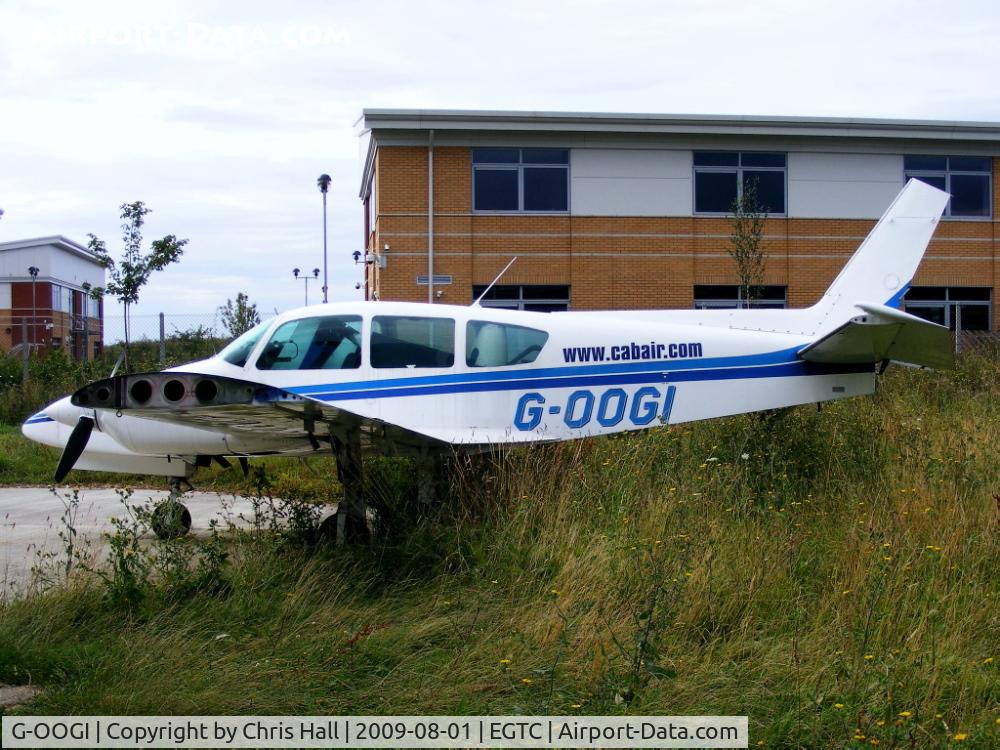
(881,269)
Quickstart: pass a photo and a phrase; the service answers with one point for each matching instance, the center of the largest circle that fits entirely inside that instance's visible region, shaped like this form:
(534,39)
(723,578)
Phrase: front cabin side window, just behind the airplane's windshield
(331,342)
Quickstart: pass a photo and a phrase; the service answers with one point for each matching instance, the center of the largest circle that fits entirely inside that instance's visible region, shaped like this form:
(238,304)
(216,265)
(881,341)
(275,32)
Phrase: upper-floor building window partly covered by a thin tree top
(720,176)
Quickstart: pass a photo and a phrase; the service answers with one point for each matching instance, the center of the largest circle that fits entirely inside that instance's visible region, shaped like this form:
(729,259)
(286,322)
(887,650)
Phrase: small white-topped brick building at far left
(43,296)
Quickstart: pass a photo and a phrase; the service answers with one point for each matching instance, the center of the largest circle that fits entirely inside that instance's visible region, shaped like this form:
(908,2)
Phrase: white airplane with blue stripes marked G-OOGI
(425,380)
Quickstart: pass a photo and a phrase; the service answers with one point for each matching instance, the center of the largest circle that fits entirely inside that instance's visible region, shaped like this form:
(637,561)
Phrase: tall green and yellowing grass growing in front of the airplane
(832,574)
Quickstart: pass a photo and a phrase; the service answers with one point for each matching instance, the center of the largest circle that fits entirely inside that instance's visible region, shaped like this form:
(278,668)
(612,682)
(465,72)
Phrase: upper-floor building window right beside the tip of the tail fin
(967,178)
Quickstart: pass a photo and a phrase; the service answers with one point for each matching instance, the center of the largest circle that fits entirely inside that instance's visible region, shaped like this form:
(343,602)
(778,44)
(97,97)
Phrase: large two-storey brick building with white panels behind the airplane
(627,211)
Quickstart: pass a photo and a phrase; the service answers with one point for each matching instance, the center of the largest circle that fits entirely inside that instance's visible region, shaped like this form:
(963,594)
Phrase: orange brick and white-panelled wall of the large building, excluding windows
(630,240)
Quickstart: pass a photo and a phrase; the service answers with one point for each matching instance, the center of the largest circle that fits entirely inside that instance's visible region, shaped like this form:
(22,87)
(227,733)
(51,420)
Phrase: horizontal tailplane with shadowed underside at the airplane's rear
(884,333)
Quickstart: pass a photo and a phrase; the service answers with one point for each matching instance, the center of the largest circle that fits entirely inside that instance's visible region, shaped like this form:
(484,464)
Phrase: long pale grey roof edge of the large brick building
(374,118)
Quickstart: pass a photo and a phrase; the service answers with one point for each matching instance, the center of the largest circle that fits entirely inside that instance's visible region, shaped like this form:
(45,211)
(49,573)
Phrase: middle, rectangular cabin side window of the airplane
(403,341)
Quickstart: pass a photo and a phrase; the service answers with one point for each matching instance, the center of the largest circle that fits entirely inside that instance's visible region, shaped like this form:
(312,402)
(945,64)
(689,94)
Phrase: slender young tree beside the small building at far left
(131,274)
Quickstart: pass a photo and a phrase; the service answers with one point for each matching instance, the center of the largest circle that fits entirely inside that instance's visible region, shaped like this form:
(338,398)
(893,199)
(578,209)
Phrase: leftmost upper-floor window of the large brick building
(520,179)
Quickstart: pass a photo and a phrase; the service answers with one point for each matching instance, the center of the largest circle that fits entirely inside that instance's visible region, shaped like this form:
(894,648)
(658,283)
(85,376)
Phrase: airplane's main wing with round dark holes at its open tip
(236,406)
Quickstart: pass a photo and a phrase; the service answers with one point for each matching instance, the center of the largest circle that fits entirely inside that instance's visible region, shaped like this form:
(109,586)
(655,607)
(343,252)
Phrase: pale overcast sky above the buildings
(220,115)
